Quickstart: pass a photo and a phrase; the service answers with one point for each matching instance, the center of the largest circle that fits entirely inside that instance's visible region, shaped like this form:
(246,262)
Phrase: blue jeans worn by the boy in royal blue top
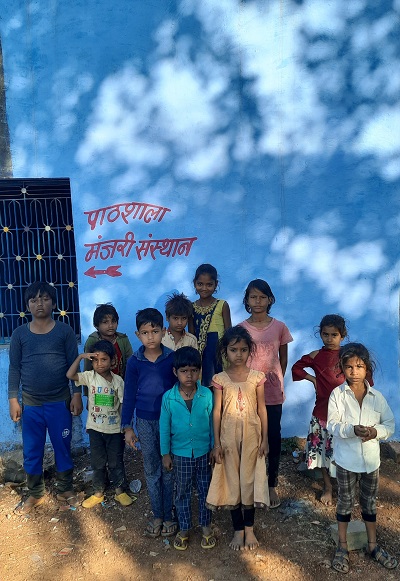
(160,482)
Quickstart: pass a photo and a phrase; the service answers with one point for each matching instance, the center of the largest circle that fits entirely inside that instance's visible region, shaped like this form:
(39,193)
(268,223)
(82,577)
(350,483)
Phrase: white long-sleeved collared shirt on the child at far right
(344,412)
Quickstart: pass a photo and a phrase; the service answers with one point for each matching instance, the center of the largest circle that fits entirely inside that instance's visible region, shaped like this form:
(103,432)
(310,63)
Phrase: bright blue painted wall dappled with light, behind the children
(270,130)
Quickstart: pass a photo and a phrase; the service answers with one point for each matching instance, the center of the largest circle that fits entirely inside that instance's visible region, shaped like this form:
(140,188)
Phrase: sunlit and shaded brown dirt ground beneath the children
(107,542)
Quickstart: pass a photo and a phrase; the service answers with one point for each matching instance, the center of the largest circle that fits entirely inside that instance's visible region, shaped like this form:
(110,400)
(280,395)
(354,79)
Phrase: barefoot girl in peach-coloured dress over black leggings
(239,480)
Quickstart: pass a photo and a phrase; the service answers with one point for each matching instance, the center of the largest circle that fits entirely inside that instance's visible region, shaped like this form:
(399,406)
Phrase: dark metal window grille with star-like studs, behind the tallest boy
(36,243)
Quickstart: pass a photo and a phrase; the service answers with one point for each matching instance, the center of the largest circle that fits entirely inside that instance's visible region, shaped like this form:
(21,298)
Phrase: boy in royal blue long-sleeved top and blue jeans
(148,376)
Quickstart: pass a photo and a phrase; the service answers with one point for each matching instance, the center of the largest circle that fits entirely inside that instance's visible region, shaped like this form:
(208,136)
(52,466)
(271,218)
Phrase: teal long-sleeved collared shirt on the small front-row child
(182,432)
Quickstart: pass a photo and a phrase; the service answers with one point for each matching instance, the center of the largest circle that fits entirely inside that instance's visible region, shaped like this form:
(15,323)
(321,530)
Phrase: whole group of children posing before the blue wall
(205,406)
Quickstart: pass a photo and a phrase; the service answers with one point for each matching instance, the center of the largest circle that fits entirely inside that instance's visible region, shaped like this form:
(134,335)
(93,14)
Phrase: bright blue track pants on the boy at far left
(56,419)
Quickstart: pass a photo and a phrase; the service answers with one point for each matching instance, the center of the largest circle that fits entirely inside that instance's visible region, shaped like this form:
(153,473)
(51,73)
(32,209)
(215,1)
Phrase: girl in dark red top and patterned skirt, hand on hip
(328,375)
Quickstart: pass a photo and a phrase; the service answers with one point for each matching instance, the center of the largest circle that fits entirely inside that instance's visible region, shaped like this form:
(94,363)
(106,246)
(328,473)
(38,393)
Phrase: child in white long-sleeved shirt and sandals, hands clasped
(358,417)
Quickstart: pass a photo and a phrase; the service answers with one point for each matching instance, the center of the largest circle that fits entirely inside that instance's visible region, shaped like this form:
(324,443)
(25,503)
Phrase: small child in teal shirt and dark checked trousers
(186,433)
